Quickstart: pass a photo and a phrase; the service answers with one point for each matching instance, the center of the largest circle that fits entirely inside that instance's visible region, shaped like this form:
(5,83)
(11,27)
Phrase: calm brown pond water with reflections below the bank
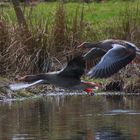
(75,117)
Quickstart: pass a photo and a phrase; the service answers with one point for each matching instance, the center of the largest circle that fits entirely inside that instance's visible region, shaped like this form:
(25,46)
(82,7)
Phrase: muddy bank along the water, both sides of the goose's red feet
(112,86)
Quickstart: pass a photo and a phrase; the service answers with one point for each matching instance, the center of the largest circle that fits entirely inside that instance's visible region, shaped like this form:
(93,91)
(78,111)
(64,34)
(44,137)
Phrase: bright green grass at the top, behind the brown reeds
(93,13)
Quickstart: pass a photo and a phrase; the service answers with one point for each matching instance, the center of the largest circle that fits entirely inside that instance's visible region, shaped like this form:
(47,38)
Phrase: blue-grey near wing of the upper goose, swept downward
(115,59)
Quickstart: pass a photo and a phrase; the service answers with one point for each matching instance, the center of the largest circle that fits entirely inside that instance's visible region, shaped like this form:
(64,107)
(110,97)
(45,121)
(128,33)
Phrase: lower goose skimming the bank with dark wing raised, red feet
(67,78)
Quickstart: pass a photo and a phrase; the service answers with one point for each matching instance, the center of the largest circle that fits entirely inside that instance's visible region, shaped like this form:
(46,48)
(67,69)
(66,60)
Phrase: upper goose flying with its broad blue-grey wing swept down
(113,55)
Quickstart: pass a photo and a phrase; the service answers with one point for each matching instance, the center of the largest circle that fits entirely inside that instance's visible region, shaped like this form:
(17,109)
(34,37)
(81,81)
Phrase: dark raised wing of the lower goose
(75,68)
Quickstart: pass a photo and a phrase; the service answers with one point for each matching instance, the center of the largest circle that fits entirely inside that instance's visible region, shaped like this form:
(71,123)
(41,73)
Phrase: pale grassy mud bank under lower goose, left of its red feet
(7,93)
